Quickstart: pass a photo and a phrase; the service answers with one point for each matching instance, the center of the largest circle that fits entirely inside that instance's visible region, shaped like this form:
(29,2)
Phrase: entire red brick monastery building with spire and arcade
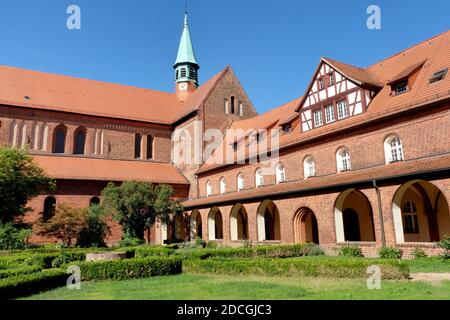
(362,157)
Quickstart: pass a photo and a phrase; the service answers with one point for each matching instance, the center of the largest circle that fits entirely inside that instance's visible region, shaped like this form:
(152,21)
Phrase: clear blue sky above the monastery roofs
(273,46)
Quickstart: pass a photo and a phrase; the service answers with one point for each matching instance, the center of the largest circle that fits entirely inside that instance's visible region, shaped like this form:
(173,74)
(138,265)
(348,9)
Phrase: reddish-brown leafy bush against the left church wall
(65,225)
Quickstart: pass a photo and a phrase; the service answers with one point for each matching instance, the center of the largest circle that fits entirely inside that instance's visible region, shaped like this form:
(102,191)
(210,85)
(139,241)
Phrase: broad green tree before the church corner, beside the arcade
(137,205)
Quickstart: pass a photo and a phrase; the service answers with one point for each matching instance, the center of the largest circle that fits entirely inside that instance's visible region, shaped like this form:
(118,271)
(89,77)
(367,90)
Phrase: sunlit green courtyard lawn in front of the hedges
(197,287)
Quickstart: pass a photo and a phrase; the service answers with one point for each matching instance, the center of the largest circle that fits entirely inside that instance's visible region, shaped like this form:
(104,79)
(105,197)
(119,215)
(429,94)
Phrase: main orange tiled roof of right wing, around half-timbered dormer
(434,54)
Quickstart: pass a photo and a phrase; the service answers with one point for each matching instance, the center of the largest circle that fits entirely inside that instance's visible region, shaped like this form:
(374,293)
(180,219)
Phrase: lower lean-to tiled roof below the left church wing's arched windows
(75,168)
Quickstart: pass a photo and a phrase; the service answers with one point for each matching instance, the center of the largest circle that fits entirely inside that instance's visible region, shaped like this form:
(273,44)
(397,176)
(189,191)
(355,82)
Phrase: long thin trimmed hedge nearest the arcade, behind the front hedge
(281,251)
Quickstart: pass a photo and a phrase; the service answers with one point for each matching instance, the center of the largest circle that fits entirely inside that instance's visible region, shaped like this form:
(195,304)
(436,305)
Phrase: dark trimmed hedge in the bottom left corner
(24,285)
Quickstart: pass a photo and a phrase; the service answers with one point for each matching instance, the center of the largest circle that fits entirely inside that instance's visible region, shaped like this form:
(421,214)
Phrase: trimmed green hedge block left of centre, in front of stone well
(130,268)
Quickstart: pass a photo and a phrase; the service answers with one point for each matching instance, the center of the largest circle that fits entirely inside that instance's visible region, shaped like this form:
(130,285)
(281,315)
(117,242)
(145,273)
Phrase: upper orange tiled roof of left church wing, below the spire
(38,90)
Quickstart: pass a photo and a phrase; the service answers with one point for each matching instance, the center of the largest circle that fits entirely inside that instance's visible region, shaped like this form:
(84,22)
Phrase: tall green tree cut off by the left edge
(20,180)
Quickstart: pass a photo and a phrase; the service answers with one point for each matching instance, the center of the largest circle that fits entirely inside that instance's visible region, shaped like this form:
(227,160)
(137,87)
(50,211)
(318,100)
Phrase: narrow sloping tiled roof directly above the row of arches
(351,177)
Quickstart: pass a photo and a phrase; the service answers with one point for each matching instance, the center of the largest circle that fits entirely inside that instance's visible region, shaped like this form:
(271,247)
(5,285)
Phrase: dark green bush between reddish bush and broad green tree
(95,231)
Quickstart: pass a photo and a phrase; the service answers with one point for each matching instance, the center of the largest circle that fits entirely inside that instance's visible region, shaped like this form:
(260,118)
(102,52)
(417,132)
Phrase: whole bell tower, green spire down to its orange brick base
(186,66)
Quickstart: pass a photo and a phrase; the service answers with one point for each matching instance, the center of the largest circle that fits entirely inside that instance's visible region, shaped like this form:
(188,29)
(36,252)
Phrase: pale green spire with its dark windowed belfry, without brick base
(186,65)
